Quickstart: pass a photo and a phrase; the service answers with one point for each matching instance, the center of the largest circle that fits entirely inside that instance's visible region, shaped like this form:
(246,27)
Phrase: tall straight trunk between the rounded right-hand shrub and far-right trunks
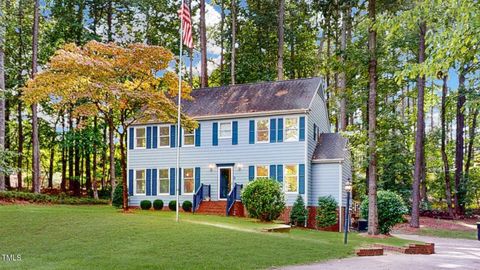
(419,137)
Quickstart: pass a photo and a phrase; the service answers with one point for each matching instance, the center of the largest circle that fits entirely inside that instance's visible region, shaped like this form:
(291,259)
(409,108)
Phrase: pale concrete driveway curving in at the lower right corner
(449,254)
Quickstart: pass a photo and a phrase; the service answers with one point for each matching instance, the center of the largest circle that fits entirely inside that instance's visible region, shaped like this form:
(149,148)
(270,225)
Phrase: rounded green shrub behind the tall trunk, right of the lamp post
(390,207)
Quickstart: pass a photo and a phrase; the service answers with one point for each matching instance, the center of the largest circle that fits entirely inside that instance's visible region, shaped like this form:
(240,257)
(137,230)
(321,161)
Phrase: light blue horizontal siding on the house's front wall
(278,153)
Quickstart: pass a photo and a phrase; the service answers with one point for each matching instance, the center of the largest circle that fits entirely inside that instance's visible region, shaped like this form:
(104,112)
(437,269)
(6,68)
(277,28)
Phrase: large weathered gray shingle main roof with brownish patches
(252,98)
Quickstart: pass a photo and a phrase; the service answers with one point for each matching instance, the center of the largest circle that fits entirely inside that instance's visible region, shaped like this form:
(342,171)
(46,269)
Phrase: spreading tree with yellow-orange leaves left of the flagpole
(121,84)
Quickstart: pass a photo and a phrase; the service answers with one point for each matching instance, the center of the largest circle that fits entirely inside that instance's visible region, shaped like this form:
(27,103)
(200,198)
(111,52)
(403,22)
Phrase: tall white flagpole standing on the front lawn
(177,192)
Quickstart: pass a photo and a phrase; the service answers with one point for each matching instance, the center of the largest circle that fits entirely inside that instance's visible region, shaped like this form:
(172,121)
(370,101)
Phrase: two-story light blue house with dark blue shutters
(274,129)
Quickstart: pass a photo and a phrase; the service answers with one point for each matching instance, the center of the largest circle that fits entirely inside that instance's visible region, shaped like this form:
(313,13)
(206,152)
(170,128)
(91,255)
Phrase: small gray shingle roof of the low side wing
(330,146)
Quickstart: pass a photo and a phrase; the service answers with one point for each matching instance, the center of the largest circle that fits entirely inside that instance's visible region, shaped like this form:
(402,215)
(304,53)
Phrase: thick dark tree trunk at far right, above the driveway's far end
(459,144)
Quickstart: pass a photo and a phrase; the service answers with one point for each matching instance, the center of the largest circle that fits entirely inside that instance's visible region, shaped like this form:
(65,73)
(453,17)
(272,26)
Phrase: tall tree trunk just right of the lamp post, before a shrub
(372,122)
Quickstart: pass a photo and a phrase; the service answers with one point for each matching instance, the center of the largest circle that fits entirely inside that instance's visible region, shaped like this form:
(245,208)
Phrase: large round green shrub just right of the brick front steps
(264,199)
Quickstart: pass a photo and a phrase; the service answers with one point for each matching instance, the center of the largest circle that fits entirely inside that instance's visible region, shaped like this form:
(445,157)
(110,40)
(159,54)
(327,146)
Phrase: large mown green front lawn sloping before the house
(100,237)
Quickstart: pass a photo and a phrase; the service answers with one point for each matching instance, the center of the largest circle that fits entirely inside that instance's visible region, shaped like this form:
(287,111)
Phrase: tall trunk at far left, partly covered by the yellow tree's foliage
(35,142)
